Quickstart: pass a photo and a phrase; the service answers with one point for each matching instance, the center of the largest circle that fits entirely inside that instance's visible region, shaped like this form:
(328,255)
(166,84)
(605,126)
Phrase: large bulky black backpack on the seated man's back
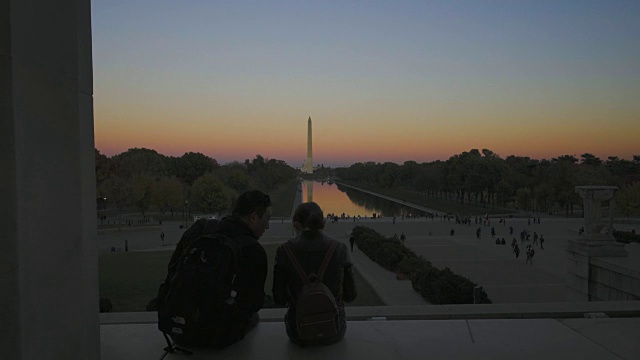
(196,302)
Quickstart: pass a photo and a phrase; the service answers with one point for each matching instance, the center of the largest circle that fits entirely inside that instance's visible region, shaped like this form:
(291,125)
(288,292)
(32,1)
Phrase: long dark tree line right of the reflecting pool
(484,178)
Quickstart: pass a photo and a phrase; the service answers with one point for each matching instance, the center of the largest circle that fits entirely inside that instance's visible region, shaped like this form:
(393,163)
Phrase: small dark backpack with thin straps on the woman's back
(317,316)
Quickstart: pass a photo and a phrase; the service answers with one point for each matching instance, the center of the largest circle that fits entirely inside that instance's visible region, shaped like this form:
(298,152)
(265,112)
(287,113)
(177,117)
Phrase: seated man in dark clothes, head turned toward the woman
(248,221)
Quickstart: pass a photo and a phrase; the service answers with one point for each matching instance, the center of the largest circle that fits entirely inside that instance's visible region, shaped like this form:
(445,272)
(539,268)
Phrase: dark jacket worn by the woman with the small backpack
(310,248)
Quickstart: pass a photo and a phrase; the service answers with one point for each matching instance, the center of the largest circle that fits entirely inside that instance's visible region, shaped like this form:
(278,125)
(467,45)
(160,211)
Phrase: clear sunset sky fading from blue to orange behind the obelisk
(381,80)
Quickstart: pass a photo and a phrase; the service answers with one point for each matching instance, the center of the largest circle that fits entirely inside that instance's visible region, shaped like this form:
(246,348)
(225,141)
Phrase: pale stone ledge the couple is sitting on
(439,339)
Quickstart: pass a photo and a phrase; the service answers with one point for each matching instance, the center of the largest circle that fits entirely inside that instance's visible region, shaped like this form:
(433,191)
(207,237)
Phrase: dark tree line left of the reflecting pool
(147,180)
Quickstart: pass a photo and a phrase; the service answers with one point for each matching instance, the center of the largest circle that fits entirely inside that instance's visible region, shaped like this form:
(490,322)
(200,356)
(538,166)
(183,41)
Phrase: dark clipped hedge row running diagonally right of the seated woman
(435,285)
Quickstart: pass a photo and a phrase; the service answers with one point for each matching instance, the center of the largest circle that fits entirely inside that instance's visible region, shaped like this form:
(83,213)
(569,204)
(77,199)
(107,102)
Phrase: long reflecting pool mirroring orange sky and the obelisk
(337,199)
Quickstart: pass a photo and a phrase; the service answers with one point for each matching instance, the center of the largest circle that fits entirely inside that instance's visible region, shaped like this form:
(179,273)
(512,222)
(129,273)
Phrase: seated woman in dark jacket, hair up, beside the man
(309,249)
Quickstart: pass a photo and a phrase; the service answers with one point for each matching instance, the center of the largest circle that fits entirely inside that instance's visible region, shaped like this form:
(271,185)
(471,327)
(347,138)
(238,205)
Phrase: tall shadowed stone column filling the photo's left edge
(48,262)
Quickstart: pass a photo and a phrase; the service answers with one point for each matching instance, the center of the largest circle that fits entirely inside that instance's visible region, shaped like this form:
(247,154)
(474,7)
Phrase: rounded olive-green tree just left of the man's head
(209,195)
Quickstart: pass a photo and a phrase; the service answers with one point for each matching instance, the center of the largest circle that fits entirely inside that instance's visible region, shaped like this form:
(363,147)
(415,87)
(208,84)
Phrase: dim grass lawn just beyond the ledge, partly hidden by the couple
(131,279)
